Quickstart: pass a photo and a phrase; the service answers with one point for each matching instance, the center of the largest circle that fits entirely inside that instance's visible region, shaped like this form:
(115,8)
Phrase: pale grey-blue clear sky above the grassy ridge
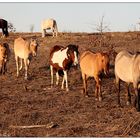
(72,17)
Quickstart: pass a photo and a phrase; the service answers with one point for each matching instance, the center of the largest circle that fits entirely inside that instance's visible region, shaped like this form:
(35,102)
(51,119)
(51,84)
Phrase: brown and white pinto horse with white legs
(61,59)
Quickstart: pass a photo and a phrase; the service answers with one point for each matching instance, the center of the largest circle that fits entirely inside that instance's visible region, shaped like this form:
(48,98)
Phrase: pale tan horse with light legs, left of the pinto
(24,50)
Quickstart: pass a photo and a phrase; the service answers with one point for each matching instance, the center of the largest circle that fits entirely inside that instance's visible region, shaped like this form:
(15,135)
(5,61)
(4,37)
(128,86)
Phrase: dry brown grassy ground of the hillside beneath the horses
(56,113)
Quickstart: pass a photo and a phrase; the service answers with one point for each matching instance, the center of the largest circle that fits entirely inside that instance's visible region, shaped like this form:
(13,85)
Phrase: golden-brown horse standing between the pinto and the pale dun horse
(92,65)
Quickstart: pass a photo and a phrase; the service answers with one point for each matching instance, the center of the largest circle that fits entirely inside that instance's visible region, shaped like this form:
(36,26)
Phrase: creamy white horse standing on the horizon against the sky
(49,24)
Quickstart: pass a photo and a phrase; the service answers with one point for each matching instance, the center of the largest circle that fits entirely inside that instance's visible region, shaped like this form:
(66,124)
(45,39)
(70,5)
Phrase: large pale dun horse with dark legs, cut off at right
(127,68)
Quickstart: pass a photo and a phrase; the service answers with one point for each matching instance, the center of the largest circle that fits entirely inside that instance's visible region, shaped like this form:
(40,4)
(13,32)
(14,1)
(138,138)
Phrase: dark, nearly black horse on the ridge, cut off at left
(4,27)
